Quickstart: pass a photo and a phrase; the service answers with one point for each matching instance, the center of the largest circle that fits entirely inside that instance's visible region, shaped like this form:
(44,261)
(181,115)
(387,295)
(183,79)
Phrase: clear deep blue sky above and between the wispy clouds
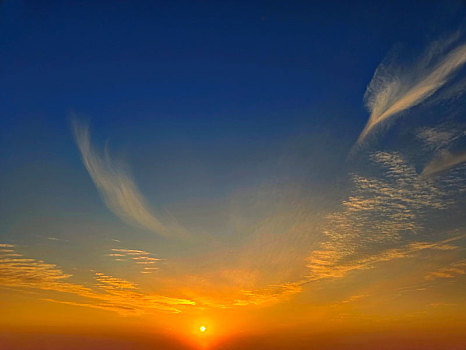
(214,83)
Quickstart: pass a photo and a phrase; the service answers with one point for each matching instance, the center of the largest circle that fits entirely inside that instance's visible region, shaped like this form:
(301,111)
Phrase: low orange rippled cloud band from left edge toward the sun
(110,293)
